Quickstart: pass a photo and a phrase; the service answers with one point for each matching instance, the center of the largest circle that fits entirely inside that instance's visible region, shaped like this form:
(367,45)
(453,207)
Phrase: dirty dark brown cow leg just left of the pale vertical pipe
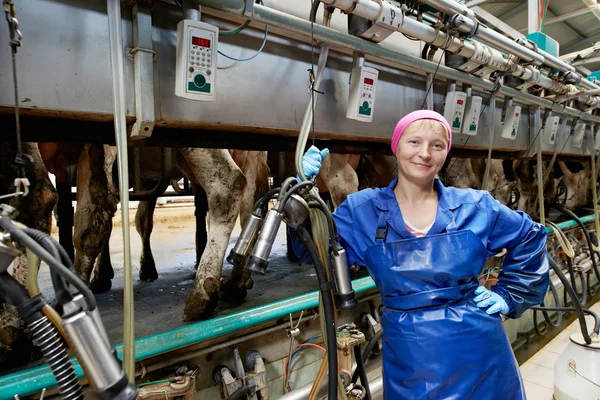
(96,205)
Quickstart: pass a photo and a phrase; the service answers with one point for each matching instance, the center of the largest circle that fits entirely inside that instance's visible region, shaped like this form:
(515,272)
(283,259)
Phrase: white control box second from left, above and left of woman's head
(361,99)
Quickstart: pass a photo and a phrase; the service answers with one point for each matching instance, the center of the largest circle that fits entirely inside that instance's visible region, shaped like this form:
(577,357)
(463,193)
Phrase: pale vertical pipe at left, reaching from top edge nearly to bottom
(116,56)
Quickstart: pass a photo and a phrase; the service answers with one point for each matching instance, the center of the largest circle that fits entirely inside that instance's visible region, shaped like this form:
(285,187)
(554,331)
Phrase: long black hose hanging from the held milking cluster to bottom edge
(325,288)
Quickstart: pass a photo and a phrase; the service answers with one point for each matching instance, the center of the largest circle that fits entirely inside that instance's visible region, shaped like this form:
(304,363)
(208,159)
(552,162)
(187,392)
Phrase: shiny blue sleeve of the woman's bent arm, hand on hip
(524,278)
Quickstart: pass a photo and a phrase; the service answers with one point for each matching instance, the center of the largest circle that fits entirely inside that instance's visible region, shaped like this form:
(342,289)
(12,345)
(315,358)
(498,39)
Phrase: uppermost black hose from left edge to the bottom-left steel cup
(21,237)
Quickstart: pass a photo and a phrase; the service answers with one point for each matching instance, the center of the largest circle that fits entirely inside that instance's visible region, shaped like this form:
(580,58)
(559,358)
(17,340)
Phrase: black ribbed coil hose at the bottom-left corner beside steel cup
(55,354)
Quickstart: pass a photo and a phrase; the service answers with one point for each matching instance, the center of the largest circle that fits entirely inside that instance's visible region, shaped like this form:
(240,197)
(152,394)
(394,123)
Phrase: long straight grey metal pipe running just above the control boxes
(321,33)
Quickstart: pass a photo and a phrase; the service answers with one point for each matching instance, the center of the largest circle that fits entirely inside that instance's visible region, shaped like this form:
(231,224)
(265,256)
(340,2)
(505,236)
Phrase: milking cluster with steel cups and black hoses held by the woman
(294,202)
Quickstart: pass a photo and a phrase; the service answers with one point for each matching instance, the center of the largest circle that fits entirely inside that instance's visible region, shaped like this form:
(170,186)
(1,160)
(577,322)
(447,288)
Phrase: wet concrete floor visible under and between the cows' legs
(159,304)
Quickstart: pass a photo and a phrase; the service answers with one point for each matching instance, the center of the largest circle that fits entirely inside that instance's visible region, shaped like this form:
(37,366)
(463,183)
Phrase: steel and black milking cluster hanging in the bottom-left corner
(78,326)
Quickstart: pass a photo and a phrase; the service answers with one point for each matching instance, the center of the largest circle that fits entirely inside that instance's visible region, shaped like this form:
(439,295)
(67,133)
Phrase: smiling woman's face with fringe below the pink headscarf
(422,150)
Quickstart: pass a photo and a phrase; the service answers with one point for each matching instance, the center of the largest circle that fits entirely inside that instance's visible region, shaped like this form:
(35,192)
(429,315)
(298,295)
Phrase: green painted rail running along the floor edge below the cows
(35,379)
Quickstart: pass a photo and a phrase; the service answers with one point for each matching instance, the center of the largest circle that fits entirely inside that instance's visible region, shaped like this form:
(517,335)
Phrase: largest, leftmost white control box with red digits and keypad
(196,68)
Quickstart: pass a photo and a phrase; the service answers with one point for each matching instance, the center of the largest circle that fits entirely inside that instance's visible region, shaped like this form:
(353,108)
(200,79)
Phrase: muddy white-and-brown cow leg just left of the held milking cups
(224,183)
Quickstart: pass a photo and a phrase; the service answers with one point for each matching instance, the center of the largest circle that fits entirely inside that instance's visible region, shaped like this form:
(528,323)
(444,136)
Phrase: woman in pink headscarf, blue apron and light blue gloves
(425,246)
